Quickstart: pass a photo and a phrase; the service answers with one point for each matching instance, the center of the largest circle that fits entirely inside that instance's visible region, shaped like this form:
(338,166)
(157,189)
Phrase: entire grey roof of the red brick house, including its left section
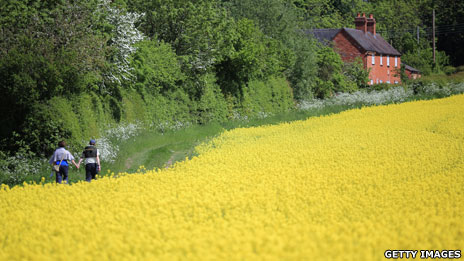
(367,41)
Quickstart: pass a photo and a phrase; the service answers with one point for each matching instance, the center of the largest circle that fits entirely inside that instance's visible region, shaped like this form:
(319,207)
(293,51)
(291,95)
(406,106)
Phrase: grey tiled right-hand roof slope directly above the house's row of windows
(370,42)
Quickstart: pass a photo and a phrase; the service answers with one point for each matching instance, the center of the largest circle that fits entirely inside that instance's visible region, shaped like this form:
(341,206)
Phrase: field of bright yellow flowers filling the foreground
(345,186)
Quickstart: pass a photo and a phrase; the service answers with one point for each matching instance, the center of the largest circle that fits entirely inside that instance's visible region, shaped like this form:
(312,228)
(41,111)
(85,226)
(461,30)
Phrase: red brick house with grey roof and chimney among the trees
(379,57)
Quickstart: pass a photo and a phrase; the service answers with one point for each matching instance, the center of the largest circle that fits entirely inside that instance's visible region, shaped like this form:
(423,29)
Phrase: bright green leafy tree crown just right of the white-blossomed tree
(195,30)
